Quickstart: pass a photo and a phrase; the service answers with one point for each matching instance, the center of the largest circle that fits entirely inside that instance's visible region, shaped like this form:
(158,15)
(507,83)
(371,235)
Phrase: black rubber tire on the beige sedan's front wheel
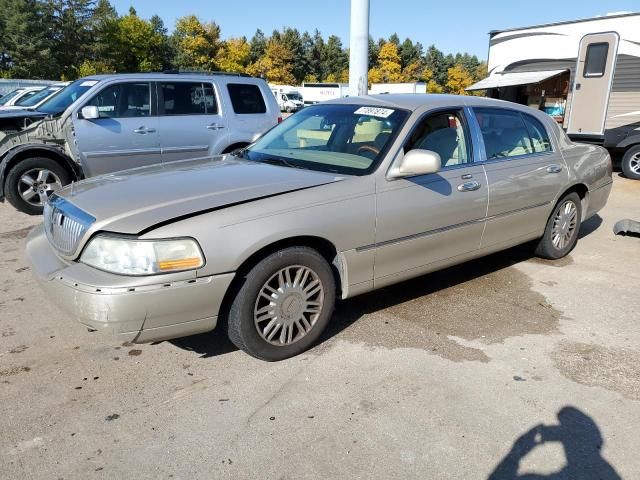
(241,327)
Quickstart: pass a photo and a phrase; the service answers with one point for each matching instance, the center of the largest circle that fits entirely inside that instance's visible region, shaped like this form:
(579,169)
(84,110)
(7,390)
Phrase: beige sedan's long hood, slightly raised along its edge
(136,200)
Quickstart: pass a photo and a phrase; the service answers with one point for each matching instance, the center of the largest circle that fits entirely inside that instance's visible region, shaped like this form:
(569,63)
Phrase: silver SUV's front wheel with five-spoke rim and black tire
(31,181)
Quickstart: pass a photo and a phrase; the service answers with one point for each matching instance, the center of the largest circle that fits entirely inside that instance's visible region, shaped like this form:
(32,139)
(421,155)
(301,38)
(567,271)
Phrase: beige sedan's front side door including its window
(427,219)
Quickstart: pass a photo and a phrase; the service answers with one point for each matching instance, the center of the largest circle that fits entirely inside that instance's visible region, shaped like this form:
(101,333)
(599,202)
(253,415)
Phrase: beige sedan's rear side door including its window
(525,172)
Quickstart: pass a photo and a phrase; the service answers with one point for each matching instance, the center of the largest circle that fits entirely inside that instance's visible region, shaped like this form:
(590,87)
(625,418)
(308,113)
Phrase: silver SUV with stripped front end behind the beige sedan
(106,123)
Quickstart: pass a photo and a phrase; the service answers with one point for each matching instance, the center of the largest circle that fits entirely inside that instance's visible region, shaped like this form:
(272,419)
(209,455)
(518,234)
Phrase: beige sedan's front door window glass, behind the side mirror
(443,133)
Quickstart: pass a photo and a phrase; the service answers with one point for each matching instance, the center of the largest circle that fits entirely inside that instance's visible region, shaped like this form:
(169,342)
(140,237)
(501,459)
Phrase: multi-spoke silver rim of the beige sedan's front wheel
(288,305)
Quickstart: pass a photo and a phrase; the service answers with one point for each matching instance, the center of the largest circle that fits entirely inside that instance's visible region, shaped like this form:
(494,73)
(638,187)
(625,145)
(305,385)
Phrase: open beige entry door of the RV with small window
(592,84)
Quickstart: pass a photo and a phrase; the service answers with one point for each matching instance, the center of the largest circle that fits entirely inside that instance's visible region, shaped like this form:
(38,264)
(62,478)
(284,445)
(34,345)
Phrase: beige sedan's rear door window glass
(504,133)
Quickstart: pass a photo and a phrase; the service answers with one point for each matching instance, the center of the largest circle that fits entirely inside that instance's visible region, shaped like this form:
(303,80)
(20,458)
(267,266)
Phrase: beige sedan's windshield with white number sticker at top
(349,139)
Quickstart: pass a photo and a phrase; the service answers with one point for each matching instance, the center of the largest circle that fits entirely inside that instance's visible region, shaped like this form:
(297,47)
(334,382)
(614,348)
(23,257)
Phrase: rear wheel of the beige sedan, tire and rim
(563,226)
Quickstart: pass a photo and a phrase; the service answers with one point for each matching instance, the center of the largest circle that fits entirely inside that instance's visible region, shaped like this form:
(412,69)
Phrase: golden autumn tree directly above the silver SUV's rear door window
(196,43)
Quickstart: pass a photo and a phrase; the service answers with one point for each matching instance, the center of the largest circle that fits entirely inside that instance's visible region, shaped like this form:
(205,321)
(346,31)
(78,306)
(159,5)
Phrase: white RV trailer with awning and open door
(584,73)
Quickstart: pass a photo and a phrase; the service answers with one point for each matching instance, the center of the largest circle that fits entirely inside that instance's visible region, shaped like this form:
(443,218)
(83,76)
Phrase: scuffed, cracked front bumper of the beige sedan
(145,310)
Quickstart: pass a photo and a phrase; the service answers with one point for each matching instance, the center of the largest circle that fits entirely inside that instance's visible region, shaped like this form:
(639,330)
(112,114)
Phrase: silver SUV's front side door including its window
(126,133)
